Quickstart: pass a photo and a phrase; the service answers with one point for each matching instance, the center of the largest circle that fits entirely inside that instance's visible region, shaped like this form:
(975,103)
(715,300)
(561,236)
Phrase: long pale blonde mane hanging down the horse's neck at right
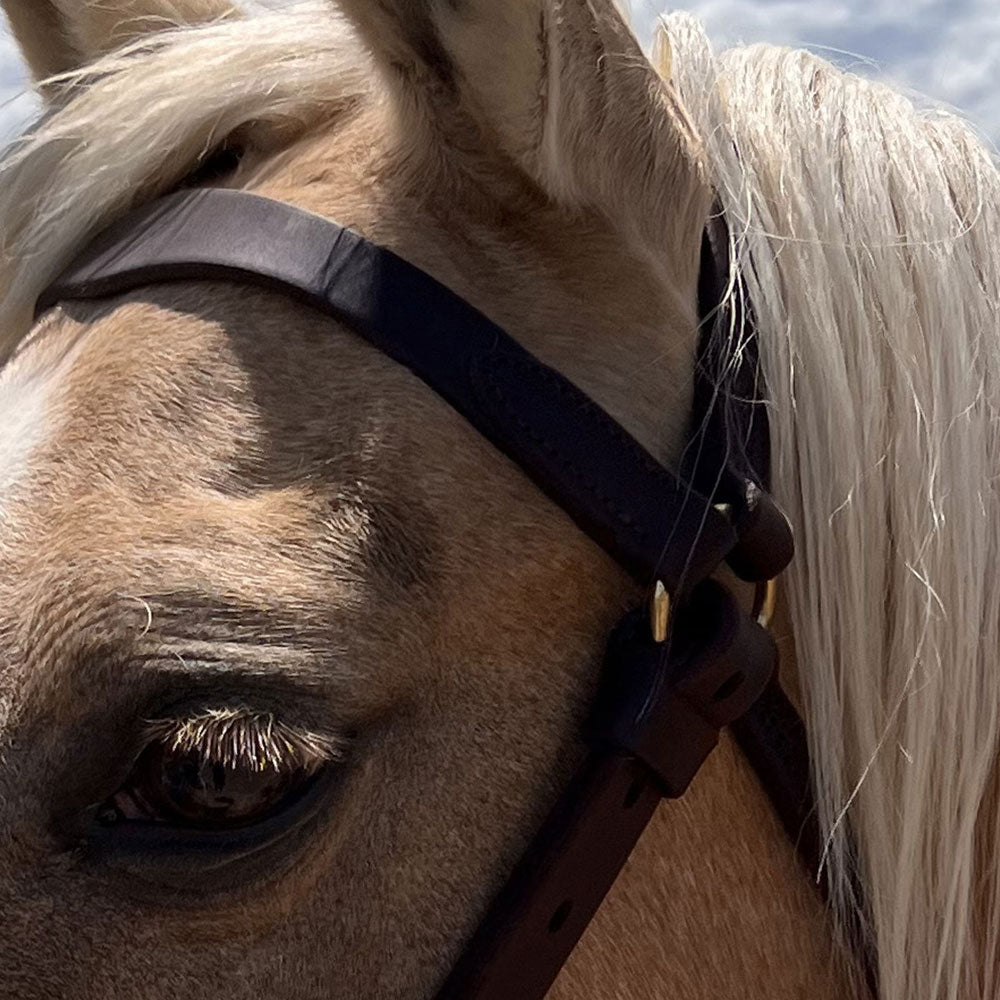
(868,235)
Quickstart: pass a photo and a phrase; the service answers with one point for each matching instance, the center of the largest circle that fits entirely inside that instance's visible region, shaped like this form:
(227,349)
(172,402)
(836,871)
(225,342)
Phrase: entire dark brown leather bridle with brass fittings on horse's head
(672,678)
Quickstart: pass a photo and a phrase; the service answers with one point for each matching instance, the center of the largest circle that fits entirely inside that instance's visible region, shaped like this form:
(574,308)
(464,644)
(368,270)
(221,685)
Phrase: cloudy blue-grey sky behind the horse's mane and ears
(947,49)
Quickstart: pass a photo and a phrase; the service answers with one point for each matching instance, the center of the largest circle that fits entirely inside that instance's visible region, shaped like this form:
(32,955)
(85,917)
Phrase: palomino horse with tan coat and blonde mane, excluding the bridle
(231,529)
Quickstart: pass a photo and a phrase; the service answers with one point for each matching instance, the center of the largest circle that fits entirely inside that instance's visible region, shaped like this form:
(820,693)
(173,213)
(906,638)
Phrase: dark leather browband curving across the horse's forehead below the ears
(655,524)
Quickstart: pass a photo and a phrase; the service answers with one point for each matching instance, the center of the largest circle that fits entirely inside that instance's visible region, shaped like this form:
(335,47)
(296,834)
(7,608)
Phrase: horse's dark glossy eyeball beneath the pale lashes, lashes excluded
(183,787)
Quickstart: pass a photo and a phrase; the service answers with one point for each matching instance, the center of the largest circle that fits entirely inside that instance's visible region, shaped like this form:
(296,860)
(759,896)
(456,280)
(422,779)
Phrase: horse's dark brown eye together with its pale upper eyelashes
(221,770)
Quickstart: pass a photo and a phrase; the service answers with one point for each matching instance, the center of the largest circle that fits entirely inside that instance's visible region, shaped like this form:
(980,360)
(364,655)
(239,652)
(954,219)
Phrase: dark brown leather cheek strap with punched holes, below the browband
(656,718)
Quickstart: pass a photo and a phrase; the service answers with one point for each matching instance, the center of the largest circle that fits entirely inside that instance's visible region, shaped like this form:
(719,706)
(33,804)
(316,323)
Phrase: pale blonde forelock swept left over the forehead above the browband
(135,123)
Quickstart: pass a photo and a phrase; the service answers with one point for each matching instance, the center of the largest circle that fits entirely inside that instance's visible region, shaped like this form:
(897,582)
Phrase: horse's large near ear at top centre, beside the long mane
(561,86)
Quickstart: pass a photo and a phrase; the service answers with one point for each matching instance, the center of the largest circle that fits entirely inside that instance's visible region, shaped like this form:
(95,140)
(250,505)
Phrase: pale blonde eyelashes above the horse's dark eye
(240,737)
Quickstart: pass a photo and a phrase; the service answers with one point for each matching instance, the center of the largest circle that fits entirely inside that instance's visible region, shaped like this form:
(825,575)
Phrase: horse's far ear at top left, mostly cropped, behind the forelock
(57,36)
